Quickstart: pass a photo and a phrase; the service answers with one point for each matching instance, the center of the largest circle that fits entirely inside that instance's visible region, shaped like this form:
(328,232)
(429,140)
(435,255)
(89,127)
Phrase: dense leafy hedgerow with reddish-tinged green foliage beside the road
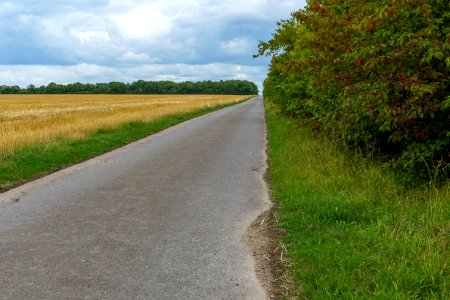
(372,74)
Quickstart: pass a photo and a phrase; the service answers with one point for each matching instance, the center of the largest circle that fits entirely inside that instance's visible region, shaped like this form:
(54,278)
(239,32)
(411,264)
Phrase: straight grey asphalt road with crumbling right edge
(162,218)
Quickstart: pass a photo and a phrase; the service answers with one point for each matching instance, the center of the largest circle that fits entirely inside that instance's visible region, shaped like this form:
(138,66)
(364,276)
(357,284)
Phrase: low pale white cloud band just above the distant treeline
(42,75)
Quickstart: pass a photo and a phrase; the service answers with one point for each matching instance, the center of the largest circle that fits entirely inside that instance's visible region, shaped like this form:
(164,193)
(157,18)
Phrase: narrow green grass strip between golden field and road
(31,162)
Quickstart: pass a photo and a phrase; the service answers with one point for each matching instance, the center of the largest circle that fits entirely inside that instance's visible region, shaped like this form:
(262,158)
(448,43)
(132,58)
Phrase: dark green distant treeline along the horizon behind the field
(227,87)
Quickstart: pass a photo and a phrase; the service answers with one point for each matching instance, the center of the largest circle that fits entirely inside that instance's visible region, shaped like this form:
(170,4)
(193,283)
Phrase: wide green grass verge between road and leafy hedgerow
(351,231)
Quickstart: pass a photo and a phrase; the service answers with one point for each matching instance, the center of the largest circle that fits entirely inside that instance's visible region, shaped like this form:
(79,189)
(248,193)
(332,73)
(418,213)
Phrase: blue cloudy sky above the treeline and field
(114,40)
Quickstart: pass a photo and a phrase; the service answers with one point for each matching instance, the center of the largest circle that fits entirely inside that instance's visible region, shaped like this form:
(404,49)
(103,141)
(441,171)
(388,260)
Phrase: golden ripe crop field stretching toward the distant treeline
(37,119)
